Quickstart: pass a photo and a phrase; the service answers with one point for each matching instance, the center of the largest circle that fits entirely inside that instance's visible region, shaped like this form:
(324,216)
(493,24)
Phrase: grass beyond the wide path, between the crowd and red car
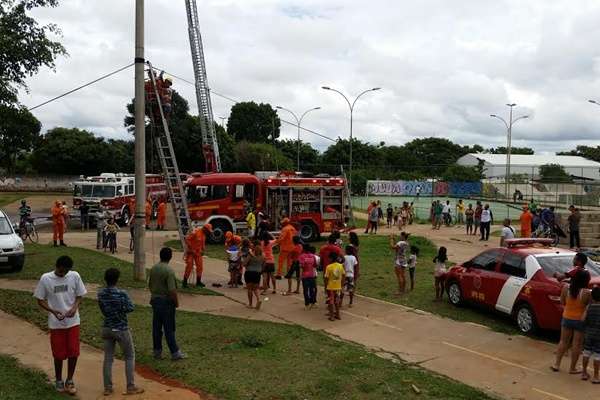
(379,281)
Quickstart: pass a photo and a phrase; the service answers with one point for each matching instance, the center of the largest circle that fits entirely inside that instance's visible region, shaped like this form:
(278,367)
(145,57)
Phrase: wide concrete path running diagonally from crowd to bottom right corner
(513,367)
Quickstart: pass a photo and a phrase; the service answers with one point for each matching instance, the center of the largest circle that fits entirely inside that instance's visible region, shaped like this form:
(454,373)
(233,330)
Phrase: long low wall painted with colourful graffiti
(424,188)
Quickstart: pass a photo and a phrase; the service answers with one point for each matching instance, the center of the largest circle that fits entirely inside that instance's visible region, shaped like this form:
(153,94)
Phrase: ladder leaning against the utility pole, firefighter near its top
(168,162)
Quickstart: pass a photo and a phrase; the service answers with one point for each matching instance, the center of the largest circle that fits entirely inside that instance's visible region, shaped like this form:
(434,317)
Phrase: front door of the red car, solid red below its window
(476,280)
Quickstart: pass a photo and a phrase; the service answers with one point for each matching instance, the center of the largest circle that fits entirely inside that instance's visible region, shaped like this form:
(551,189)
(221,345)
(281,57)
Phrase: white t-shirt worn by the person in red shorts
(61,293)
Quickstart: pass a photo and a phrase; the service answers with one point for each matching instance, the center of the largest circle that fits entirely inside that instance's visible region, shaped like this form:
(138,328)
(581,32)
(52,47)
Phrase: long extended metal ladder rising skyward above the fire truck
(210,146)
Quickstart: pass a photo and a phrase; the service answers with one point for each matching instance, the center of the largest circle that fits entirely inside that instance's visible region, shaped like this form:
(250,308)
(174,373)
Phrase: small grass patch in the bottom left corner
(22,383)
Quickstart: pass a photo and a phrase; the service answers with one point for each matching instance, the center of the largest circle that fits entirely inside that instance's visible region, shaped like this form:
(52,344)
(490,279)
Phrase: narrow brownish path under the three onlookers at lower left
(31,347)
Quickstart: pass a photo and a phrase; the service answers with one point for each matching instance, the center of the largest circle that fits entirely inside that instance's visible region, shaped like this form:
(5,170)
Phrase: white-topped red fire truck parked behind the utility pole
(114,192)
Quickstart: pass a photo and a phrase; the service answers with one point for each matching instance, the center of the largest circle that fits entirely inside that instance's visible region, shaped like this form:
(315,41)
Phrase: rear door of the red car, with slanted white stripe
(513,269)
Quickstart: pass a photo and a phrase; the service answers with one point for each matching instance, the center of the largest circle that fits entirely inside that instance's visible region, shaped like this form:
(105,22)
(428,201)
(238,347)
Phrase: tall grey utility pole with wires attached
(139,256)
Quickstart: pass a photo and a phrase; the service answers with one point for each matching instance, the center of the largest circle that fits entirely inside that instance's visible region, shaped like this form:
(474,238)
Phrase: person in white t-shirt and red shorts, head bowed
(60,292)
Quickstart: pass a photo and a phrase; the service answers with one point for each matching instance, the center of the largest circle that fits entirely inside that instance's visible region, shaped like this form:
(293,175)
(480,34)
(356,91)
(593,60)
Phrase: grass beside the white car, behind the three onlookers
(89,263)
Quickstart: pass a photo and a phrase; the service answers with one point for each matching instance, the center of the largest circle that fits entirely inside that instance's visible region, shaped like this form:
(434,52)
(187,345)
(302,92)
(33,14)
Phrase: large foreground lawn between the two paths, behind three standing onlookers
(242,359)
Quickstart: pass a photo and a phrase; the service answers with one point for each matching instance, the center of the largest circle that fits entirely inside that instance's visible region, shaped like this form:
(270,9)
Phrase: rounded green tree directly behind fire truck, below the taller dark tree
(252,157)
